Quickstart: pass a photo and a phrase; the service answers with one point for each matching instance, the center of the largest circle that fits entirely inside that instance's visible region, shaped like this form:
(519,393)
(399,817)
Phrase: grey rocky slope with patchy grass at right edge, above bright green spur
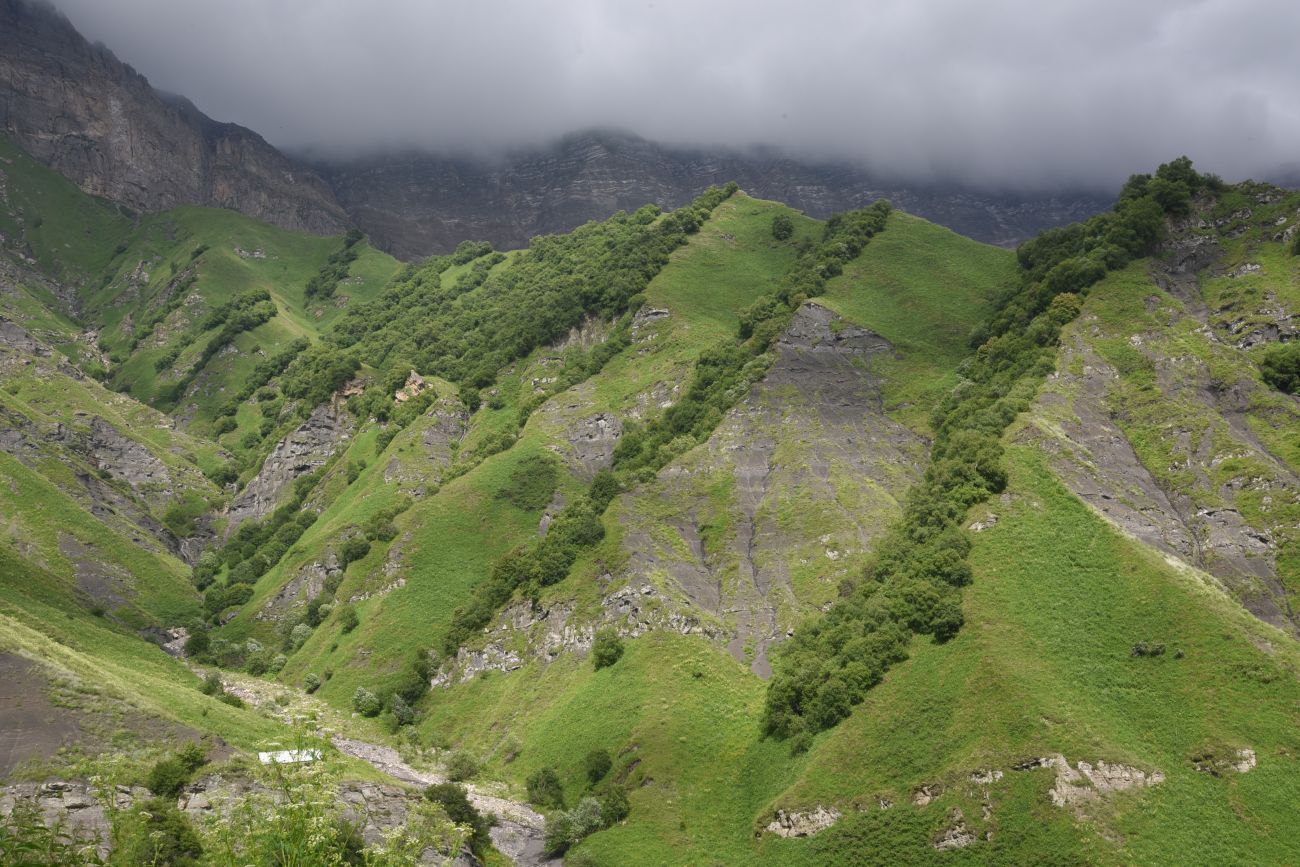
(1176,498)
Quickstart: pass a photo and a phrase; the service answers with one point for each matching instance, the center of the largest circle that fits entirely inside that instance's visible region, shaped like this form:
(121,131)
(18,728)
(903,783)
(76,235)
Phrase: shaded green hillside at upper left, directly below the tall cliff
(179,307)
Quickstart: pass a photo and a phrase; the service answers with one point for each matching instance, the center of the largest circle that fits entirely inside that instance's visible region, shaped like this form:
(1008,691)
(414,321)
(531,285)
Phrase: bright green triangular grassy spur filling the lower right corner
(1043,666)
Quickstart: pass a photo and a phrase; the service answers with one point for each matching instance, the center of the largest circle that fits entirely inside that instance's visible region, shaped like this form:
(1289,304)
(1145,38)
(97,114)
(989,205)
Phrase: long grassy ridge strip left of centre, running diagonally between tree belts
(457,532)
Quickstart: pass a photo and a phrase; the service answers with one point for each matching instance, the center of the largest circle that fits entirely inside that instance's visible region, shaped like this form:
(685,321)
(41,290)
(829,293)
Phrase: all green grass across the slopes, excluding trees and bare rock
(1045,661)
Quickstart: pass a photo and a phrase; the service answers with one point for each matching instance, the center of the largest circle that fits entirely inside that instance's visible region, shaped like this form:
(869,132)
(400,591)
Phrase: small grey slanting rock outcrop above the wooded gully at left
(296,456)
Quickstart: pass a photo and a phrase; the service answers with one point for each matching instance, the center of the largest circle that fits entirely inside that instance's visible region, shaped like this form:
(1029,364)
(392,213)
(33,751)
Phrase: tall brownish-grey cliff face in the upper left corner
(94,119)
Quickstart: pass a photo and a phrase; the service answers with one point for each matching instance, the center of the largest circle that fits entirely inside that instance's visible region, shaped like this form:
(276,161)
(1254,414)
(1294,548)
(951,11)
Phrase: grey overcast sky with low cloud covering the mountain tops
(990,92)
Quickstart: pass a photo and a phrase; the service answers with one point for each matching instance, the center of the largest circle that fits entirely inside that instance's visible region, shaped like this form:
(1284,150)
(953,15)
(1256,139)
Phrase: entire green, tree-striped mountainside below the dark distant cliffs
(712,536)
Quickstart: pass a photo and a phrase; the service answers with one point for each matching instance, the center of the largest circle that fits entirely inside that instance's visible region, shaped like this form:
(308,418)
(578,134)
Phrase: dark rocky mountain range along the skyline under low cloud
(80,110)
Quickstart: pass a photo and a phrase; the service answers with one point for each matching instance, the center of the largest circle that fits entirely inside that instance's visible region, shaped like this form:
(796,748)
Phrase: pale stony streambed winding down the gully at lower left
(519,831)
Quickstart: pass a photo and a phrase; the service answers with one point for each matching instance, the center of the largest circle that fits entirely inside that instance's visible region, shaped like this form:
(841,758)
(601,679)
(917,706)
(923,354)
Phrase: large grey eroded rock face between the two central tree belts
(813,470)
